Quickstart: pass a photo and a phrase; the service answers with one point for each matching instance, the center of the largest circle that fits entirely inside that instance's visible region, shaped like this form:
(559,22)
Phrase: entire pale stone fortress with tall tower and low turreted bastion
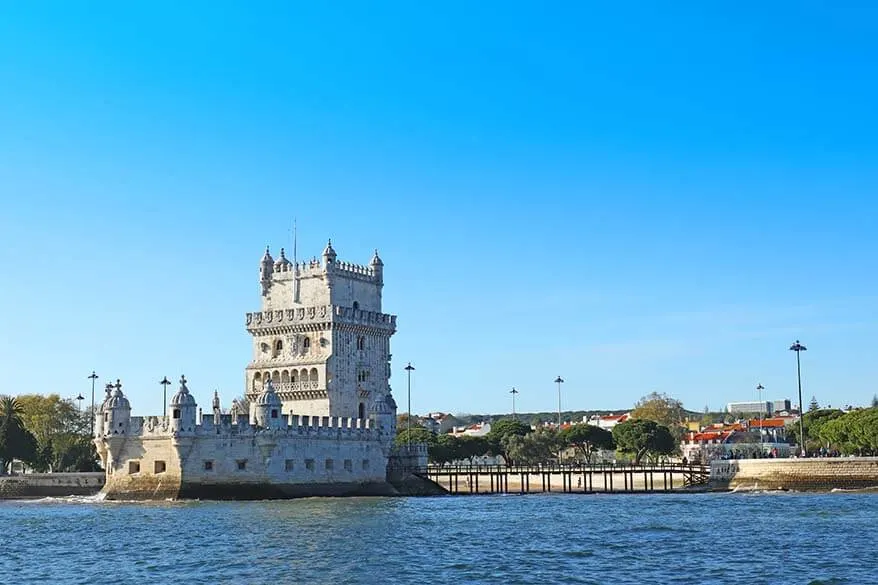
(321,417)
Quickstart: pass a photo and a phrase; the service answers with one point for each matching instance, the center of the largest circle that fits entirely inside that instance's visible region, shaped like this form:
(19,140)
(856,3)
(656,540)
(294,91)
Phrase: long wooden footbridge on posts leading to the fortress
(585,479)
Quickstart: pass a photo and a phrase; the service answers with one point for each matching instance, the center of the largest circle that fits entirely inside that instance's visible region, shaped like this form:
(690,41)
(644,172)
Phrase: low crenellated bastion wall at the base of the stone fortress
(312,456)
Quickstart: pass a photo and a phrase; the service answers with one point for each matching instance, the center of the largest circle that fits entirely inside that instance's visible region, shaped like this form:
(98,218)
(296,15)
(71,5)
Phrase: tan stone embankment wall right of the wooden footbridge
(819,474)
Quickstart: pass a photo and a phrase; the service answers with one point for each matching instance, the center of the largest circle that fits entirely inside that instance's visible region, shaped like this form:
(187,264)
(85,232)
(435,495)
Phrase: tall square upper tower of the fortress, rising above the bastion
(321,337)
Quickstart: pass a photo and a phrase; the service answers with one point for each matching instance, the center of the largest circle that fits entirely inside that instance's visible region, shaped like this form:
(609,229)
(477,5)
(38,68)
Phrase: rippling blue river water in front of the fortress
(771,538)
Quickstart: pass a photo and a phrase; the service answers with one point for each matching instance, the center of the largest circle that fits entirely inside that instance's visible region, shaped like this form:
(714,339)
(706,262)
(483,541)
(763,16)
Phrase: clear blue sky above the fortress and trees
(637,197)
